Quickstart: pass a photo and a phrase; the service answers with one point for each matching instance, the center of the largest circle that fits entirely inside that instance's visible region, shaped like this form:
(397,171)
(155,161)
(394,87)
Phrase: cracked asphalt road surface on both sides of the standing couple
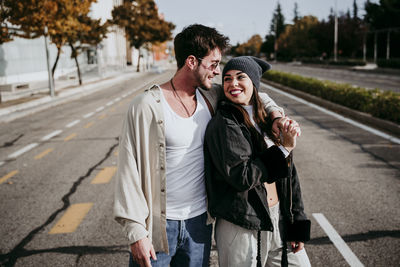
(56,207)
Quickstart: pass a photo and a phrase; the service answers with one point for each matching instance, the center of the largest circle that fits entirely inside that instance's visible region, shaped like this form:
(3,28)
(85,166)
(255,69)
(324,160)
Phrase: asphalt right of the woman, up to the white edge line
(352,177)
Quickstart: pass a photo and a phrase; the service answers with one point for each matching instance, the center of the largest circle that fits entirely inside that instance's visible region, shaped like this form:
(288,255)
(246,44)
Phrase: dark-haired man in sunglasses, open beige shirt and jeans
(160,196)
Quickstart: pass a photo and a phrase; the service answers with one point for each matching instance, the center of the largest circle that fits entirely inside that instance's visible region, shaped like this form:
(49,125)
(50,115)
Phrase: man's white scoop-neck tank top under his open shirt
(184,138)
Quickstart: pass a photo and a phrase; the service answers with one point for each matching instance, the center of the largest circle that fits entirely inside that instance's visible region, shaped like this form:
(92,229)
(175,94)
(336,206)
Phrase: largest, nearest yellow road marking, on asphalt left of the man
(71,218)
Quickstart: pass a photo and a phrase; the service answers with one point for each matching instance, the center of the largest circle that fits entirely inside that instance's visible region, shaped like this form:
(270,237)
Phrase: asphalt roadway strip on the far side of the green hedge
(366,79)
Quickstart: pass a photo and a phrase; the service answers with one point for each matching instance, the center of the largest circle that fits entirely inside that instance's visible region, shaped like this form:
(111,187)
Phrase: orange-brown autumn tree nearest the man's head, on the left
(142,23)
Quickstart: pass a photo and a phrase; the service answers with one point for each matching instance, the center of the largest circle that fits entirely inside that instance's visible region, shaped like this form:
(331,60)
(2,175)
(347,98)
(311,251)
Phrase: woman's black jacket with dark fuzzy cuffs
(235,169)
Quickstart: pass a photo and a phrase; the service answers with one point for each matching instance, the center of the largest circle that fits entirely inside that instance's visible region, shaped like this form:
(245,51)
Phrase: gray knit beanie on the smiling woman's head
(252,66)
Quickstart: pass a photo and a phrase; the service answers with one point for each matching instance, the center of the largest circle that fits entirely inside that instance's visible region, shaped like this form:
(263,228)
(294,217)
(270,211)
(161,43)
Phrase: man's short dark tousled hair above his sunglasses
(197,40)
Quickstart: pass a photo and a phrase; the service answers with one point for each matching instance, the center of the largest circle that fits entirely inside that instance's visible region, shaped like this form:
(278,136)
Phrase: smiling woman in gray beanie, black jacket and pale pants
(252,185)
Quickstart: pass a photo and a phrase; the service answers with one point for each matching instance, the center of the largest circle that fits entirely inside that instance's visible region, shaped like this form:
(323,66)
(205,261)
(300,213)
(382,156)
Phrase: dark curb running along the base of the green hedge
(384,125)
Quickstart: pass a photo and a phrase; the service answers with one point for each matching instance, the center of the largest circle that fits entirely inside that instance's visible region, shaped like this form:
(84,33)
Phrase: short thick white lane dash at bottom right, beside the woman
(339,243)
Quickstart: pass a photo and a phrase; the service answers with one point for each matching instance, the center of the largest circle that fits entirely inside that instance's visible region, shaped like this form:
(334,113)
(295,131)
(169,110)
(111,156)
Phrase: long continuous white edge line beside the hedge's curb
(340,117)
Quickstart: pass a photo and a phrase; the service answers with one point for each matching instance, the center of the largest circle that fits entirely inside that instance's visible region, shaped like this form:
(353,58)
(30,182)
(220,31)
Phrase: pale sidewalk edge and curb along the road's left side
(17,111)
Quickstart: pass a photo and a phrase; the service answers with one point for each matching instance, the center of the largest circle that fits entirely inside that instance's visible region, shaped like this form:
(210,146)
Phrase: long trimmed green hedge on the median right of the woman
(378,103)
